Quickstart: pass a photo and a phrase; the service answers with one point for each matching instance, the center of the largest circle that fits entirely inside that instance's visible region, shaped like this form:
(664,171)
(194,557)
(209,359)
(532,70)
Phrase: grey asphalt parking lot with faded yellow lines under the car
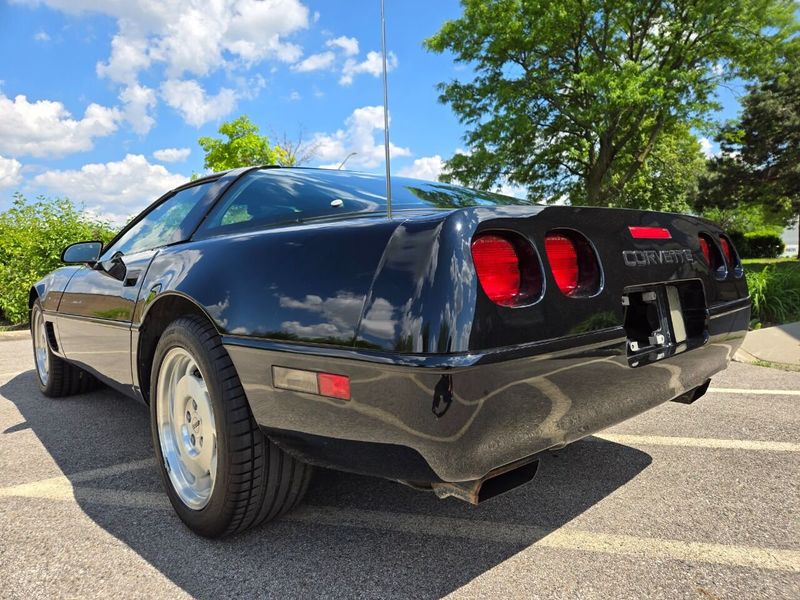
(698,501)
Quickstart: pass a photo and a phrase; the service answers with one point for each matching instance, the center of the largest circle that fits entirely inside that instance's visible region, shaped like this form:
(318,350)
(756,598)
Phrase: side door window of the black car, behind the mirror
(162,225)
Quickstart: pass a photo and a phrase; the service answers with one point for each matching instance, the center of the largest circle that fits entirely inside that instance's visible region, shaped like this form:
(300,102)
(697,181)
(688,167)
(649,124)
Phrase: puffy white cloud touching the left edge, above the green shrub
(45,128)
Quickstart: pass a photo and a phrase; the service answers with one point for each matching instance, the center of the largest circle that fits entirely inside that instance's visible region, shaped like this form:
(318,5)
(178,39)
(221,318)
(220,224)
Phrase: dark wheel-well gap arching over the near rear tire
(158,317)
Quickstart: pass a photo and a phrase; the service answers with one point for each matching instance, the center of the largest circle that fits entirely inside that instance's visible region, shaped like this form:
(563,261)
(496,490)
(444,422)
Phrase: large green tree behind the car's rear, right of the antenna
(571,96)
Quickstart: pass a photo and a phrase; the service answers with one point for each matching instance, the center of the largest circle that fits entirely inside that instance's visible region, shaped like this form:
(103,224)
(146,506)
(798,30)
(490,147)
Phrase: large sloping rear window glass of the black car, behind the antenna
(282,196)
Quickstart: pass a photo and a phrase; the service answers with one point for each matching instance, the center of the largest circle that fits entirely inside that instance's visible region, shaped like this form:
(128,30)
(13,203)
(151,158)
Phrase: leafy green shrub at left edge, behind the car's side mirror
(32,237)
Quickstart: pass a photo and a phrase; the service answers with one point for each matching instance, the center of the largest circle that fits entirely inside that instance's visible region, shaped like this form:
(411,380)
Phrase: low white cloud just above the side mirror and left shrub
(113,190)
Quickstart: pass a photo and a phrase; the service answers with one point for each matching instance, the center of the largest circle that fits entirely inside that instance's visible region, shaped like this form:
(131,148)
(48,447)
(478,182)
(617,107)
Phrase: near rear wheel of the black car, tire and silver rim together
(222,475)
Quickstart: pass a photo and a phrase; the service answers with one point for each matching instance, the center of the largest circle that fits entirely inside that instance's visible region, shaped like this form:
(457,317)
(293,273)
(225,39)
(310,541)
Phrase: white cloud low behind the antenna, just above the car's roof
(359,136)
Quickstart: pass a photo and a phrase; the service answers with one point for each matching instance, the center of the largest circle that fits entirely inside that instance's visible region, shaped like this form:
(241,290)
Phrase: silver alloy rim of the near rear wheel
(186,428)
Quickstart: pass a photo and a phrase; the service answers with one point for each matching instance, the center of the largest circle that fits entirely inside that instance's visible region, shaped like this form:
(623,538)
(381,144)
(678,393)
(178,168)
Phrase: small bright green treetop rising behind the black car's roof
(243,146)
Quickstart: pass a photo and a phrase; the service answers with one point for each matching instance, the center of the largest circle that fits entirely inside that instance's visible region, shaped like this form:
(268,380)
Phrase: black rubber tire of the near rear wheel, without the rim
(255,480)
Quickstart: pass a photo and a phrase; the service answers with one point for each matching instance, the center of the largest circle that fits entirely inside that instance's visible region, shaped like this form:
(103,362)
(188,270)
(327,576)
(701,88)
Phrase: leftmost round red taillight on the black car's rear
(497,264)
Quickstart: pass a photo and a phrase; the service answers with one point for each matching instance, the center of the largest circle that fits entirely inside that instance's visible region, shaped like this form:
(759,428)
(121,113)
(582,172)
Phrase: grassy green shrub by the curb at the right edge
(775,294)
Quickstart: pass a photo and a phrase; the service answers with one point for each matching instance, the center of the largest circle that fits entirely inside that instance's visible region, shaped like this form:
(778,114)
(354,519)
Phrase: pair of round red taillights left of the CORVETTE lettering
(510,271)
